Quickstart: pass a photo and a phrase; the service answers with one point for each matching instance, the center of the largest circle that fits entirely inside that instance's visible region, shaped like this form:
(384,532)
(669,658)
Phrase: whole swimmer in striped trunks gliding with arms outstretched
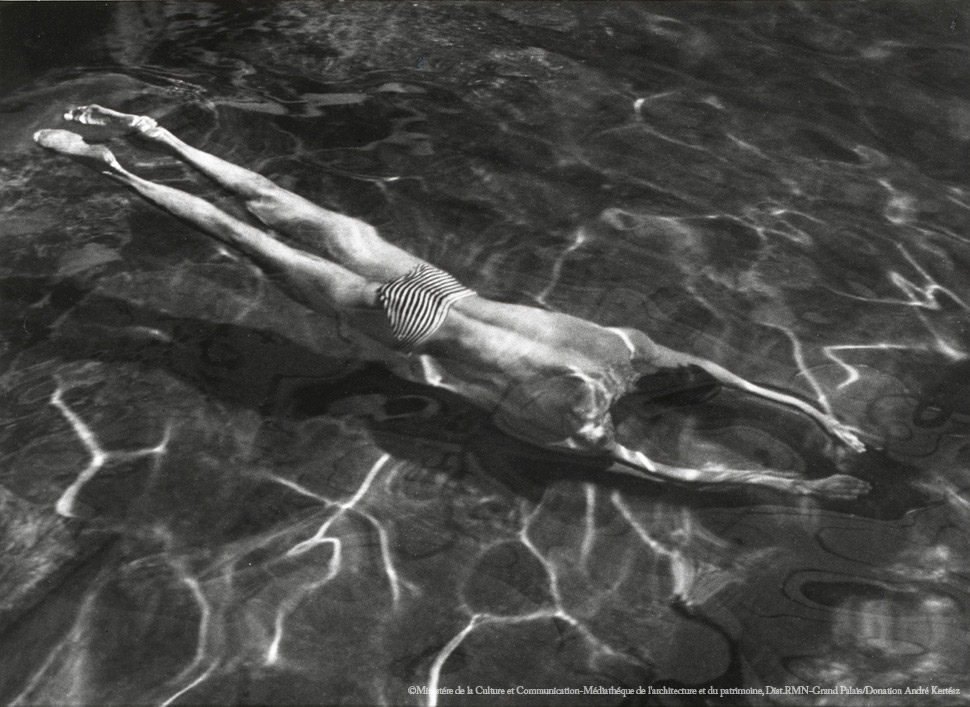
(547,378)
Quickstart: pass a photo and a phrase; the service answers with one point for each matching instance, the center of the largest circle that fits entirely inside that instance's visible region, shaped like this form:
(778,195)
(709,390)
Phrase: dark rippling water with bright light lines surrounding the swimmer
(205,496)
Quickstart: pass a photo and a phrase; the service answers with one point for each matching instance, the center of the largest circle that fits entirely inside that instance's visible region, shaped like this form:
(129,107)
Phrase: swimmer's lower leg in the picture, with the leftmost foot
(313,281)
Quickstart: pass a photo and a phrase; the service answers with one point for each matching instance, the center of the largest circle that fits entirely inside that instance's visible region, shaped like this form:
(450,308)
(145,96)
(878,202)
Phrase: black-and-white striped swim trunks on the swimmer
(416,304)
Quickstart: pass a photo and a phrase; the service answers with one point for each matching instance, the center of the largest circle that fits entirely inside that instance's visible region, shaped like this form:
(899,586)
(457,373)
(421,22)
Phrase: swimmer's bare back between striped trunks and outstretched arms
(547,377)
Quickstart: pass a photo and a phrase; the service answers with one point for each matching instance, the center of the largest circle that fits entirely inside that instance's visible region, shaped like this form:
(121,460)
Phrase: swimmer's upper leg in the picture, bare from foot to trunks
(348,241)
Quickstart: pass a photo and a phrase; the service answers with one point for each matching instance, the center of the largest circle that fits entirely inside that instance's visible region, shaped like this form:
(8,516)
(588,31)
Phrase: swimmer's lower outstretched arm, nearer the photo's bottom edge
(633,463)
